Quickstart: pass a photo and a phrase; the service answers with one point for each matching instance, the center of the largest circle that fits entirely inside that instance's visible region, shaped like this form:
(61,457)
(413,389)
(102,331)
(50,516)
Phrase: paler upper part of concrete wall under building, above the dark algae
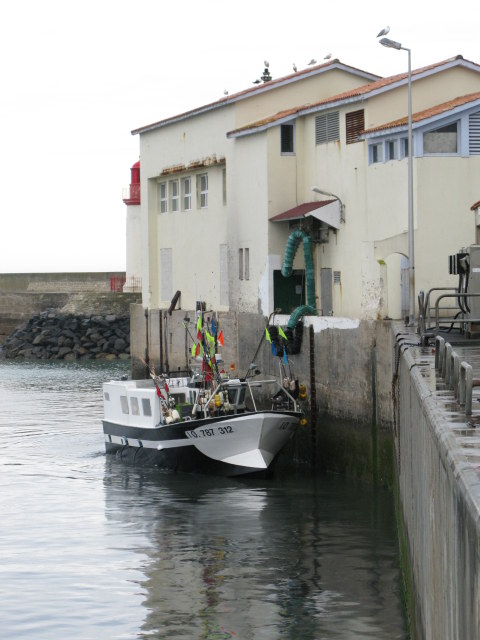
(348,363)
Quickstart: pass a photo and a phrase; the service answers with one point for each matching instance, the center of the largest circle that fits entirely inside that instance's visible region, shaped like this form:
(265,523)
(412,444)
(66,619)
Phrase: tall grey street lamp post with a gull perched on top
(392,44)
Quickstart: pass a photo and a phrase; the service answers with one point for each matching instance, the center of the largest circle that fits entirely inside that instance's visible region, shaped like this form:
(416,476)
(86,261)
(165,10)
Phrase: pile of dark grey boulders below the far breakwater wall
(56,336)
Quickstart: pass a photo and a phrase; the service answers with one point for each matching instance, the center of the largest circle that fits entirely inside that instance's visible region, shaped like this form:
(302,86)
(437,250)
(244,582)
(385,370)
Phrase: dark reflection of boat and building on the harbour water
(304,558)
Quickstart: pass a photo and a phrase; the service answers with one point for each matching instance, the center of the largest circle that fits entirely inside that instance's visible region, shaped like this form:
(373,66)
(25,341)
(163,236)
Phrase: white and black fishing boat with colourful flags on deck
(206,422)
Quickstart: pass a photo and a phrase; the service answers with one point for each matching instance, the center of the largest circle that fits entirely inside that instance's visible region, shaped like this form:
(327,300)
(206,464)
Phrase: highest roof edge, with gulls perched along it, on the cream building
(267,86)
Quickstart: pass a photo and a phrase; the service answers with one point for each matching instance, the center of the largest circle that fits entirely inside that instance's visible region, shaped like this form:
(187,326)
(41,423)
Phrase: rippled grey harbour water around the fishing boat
(95,549)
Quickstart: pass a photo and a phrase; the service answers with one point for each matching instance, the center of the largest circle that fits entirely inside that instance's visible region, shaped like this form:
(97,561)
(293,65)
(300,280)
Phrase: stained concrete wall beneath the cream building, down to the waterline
(347,364)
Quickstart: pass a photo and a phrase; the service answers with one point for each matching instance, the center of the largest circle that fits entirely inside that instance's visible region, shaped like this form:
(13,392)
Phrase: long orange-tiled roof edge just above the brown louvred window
(353,95)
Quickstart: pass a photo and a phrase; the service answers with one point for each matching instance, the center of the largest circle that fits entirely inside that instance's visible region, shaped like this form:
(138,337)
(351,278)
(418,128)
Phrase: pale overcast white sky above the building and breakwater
(77,77)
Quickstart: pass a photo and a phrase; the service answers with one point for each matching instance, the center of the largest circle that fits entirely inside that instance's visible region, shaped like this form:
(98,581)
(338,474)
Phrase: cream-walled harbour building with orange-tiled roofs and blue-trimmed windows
(223,185)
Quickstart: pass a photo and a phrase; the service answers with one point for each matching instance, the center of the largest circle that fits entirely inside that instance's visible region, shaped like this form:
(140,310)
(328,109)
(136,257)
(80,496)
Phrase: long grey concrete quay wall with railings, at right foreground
(439,496)
